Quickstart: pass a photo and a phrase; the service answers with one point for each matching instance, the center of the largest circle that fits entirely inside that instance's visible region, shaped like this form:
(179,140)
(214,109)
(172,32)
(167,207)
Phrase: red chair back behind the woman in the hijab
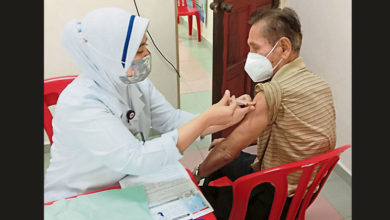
(52,89)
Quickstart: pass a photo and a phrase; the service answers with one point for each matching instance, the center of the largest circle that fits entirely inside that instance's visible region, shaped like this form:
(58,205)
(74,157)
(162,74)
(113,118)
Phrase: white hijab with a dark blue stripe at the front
(97,43)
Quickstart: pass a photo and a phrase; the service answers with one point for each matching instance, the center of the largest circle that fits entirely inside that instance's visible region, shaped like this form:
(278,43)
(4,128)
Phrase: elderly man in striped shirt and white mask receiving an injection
(294,117)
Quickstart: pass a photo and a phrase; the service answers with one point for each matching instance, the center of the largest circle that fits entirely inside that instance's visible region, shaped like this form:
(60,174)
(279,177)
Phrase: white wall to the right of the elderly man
(327,51)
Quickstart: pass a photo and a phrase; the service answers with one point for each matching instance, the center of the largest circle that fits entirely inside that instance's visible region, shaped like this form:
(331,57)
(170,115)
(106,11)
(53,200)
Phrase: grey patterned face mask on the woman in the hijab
(141,69)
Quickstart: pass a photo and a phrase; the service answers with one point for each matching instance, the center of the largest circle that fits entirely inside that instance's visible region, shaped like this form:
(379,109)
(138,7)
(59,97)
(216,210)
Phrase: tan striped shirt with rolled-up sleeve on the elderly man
(302,121)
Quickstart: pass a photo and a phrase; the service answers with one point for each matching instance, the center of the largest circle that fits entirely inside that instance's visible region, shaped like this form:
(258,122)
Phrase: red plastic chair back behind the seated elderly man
(277,176)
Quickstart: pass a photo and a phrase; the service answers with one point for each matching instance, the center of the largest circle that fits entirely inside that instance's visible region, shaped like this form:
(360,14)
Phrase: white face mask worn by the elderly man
(258,67)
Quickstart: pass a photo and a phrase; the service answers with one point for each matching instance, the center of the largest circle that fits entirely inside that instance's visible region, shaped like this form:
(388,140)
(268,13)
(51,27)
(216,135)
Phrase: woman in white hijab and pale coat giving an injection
(103,117)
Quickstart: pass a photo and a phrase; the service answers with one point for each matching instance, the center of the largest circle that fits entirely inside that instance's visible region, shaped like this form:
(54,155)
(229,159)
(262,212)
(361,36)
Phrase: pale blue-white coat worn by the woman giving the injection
(93,147)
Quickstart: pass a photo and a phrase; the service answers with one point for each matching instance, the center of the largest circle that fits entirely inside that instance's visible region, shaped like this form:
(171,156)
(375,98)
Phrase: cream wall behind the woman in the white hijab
(162,27)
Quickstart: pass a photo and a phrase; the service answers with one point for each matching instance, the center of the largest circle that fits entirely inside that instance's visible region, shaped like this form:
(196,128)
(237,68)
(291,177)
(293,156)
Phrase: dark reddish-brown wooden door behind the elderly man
(230,34)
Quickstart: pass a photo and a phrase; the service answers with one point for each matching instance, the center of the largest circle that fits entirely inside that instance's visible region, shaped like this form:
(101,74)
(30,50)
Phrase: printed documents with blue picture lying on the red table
(171,194)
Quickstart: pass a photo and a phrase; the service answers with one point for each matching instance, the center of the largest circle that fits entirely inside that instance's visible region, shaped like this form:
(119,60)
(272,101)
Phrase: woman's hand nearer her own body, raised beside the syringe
(222,112)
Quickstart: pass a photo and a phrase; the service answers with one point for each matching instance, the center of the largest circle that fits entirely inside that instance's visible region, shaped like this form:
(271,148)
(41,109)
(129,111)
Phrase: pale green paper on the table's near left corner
(128,203)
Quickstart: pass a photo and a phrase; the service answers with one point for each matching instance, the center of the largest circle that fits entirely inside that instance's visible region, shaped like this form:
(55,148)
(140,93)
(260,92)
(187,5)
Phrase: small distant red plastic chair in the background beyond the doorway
(183,10)
